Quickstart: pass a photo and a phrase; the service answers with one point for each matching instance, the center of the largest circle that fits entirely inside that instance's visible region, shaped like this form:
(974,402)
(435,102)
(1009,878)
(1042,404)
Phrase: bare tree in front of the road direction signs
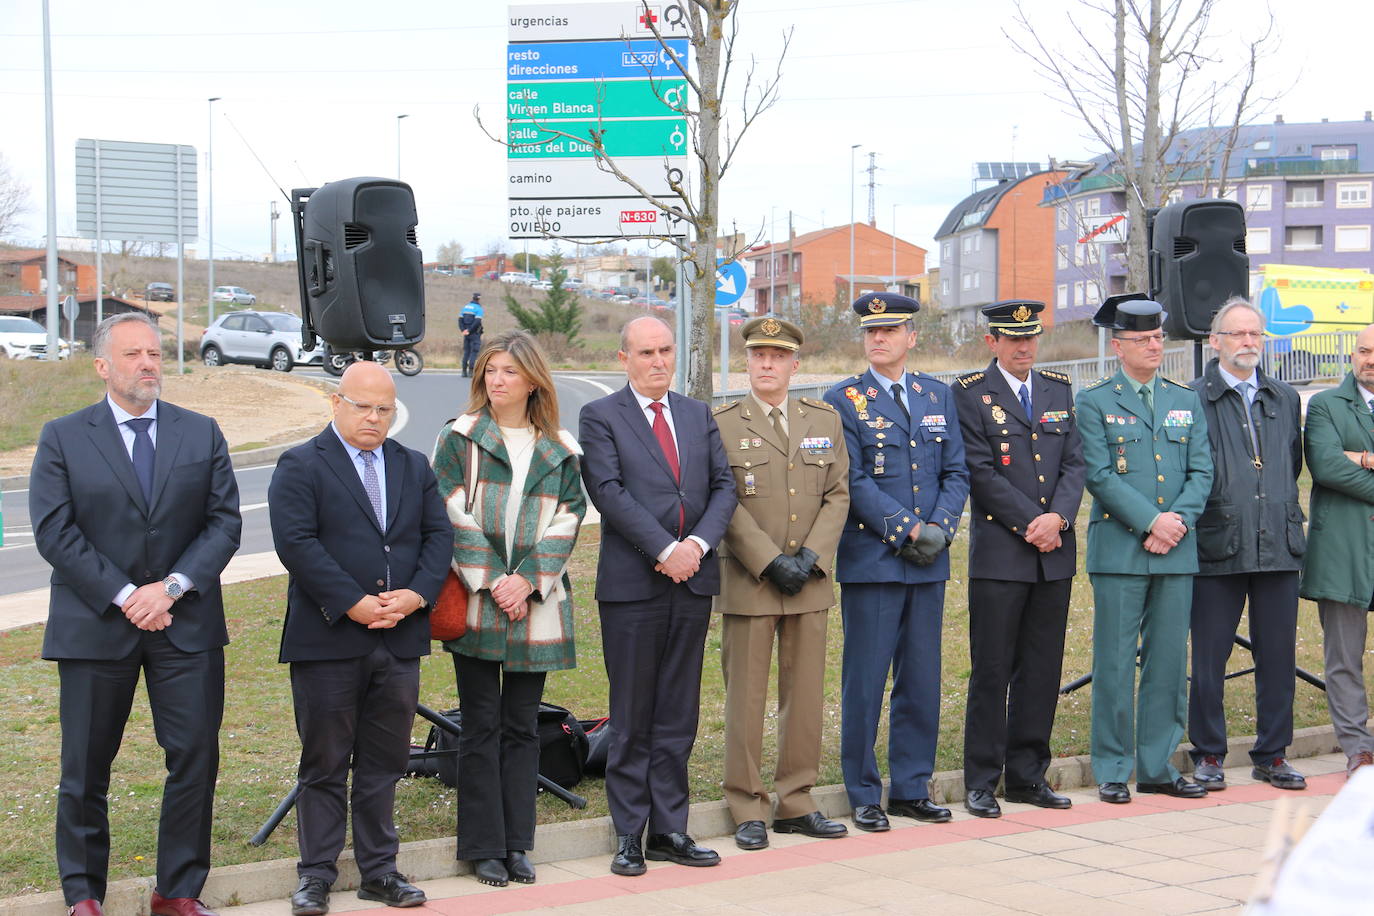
(715,134)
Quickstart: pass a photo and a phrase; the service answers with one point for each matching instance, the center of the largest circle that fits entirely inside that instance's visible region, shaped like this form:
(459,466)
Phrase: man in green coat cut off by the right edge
(1339,568)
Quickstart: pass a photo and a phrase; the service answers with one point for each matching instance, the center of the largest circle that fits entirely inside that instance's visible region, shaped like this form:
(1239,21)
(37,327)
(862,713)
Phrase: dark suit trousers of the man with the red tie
(653,663)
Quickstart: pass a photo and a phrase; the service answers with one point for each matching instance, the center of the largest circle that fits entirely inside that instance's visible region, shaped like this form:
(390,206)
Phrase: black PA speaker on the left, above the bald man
(359,266)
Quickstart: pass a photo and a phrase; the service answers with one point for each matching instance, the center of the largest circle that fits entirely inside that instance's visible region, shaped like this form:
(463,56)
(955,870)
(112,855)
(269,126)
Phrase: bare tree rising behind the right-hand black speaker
(1140,73)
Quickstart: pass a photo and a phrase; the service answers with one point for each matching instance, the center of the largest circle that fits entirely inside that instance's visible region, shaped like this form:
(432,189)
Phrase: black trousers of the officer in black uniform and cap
(1016,642)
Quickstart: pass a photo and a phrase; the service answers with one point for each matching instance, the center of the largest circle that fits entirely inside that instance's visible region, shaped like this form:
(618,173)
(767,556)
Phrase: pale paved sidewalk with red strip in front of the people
(1156,855)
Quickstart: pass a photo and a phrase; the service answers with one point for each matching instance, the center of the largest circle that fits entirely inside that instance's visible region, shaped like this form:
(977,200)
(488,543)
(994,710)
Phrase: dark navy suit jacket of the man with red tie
(631,485)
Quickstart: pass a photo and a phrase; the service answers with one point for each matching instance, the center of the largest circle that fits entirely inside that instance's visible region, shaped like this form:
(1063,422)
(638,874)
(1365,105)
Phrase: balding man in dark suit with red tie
(656,470)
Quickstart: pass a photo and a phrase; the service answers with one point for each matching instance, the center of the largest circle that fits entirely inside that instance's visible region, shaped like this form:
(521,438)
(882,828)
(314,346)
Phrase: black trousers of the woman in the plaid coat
(498,757)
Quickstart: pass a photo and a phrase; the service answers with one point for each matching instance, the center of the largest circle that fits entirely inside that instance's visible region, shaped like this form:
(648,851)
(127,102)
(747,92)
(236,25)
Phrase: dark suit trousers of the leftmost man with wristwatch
(186,694)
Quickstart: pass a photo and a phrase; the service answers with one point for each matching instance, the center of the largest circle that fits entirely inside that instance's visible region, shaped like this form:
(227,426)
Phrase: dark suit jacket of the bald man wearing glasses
(330,543)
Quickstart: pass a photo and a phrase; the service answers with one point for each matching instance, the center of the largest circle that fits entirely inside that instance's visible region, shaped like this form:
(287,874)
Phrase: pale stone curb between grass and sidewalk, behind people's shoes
(432,859)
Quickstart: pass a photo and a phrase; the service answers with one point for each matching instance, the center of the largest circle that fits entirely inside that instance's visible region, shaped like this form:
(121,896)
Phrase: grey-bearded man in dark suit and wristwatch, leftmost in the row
(135,506)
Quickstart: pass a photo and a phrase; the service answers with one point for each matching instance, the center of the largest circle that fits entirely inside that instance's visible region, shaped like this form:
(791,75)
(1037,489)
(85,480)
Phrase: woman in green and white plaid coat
(512,553)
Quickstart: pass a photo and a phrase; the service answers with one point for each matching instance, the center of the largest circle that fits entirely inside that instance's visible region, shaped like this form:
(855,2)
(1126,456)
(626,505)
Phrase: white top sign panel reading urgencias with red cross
(585,21)
